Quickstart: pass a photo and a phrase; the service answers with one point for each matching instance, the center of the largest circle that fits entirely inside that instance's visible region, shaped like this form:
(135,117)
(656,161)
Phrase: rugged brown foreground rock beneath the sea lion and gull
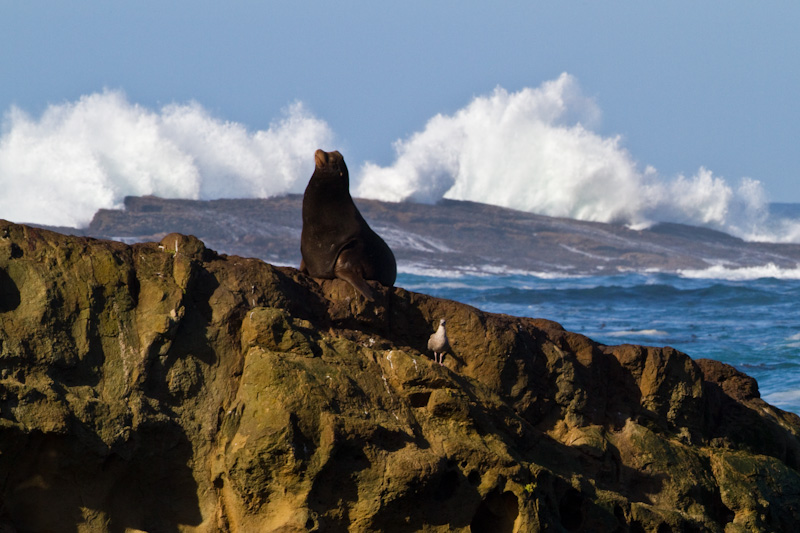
(163,387)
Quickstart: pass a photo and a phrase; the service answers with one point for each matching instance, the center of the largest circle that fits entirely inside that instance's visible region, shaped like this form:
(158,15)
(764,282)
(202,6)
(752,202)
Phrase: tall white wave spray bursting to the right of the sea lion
(539,142)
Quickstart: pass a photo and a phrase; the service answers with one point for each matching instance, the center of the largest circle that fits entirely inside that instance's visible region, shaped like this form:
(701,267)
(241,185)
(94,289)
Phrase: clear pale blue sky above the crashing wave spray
(685,84)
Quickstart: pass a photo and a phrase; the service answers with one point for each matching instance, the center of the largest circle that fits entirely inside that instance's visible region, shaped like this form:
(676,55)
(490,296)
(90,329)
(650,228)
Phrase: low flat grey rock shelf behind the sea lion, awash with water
(449,236)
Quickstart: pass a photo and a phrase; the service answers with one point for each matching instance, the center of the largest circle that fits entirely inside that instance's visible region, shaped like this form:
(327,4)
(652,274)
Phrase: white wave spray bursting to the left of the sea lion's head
(78,157)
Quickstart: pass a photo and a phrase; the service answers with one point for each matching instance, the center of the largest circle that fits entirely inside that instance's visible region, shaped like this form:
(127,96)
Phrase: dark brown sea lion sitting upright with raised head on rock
(336,241)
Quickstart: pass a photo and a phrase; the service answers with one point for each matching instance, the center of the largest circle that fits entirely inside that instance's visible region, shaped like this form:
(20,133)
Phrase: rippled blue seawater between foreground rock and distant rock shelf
(747,318)
